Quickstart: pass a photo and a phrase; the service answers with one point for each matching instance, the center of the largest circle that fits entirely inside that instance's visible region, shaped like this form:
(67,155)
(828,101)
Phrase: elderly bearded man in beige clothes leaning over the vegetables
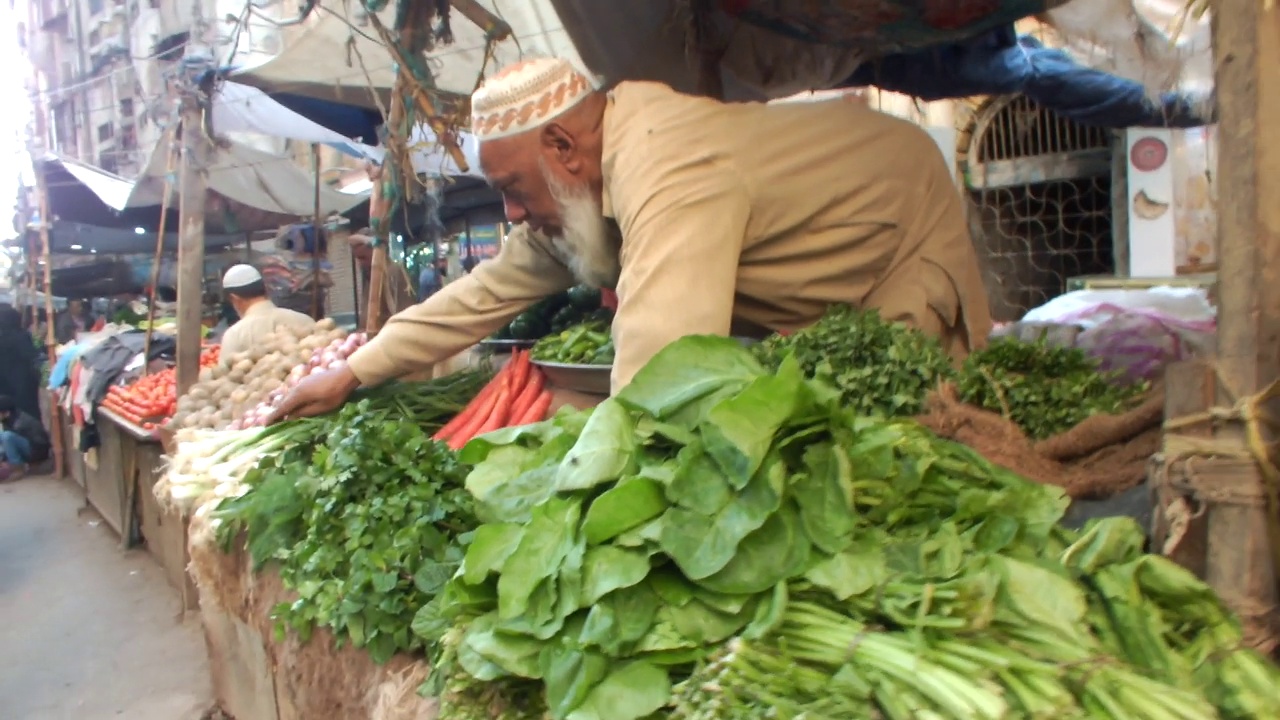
(702,215)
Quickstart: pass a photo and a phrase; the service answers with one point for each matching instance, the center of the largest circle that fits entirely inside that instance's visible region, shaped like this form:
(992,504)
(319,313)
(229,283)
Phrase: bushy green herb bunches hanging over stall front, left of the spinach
(364,522)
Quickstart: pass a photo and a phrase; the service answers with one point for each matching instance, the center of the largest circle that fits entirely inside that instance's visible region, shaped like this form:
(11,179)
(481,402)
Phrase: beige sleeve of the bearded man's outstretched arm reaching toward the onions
(465,312)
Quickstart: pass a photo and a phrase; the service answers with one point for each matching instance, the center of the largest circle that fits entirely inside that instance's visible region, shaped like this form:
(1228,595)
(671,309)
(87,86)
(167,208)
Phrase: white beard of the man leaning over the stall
(587,243)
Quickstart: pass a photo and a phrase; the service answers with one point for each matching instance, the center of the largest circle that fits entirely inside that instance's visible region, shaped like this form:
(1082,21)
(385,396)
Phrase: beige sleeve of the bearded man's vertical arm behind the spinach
(683,227)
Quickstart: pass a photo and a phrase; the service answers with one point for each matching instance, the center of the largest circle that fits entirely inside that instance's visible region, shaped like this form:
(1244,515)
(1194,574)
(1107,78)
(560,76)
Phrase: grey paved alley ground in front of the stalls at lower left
(88,632)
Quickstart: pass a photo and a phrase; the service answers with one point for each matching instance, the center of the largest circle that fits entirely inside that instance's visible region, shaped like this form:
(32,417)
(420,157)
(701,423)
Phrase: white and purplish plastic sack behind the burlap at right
(1136,331)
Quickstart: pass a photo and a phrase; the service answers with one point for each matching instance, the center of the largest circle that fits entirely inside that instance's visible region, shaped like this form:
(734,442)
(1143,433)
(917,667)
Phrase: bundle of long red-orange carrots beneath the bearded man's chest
(515,397)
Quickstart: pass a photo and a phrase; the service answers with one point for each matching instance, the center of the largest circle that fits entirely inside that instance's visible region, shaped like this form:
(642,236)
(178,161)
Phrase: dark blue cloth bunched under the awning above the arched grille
(1002,63)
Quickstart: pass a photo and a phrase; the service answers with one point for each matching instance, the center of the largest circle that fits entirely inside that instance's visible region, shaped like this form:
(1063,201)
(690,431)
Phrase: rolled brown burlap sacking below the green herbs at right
(1103,457)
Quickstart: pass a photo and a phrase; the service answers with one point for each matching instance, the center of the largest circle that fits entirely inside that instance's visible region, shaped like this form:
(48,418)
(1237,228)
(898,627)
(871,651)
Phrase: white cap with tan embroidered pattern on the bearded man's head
(527,95)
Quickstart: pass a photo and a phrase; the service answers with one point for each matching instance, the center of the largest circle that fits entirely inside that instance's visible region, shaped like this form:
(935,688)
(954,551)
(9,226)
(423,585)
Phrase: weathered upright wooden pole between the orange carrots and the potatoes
(191,240)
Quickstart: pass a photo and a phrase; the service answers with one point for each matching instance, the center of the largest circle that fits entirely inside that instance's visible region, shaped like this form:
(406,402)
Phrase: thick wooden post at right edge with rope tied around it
(1241,555)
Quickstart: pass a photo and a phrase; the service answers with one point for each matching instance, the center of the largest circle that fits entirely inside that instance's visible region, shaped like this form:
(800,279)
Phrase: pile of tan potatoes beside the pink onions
(243,382)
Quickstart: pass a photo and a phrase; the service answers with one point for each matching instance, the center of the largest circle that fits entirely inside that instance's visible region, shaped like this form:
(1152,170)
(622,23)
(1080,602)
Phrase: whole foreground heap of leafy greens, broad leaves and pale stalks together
(743,535)
